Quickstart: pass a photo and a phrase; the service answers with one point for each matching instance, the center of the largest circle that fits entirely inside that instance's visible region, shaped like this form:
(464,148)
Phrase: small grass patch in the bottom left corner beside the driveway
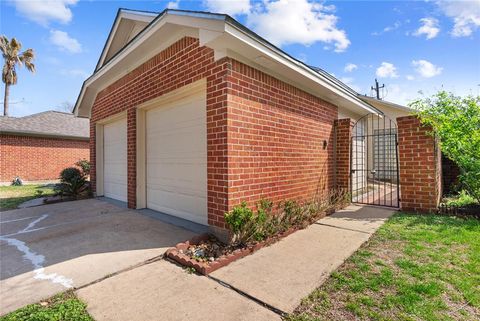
(62,307)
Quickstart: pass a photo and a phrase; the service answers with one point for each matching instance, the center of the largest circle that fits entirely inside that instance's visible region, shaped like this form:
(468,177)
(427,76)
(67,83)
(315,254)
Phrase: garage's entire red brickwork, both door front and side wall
(265,138)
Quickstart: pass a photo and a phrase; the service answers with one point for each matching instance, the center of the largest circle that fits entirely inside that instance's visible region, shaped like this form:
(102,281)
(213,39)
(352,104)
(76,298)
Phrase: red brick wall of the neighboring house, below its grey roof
(38,158)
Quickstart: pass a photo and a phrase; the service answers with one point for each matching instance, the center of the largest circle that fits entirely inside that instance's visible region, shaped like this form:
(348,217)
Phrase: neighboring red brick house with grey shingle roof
(37,147)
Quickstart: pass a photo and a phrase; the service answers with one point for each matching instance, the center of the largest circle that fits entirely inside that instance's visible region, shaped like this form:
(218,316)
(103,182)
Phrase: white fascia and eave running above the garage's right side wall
(280,57)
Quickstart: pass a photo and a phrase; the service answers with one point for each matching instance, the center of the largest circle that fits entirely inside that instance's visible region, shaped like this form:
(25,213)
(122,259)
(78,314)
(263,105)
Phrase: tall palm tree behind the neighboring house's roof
(12,56)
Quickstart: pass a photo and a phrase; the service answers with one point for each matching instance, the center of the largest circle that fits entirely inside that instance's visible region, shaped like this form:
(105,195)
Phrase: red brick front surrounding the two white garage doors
(181,64)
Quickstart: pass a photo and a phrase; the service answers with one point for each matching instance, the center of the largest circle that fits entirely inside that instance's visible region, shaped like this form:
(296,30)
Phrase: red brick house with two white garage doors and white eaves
(192,113)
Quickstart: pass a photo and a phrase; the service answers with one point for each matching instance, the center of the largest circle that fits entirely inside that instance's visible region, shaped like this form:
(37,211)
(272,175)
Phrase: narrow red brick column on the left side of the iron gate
(342,150)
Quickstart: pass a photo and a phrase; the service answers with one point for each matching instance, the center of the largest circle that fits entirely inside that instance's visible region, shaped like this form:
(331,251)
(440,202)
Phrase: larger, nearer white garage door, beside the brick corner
(176,157)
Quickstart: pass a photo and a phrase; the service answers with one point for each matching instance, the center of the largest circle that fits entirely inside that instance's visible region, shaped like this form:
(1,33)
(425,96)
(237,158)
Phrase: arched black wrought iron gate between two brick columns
(374,177)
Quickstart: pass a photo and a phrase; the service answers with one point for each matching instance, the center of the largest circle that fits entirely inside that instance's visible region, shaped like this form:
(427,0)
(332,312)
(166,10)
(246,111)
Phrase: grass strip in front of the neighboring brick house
(12,196)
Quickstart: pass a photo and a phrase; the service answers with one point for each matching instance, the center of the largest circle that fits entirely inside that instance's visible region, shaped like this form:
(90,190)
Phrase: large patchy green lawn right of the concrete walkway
(416,267)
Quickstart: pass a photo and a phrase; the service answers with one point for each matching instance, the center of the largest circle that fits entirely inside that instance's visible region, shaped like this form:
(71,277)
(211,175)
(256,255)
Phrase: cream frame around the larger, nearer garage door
(182,94)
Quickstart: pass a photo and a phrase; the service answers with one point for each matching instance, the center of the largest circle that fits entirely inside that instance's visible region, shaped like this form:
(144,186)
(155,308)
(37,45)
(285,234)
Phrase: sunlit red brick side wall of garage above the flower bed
(276,135)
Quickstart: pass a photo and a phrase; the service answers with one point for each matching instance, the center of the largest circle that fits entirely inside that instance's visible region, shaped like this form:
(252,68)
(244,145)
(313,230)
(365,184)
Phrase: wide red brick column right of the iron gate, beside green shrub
(420,166)
